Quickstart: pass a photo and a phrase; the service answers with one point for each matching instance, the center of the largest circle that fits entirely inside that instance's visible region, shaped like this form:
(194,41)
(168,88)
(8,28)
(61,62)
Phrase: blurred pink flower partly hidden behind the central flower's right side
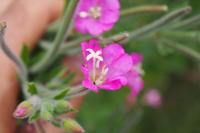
(134,80)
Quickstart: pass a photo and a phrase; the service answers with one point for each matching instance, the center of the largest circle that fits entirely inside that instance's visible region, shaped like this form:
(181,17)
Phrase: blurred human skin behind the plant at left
(26,22)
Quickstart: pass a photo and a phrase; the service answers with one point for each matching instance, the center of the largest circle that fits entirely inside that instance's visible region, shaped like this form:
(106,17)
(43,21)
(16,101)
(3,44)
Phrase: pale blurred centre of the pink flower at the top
(94,12)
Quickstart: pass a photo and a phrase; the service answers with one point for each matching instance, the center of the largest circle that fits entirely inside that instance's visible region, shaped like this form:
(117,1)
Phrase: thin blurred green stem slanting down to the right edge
(185,50)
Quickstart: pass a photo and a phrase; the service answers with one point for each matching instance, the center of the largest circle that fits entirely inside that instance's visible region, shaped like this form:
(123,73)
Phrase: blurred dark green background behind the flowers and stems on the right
(175,75)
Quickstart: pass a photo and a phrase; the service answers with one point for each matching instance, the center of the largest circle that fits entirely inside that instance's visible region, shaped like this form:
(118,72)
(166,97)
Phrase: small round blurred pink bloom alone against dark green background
(153,98)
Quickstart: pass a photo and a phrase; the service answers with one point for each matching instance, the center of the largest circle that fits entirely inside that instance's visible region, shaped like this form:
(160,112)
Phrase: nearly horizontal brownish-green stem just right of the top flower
(142,9)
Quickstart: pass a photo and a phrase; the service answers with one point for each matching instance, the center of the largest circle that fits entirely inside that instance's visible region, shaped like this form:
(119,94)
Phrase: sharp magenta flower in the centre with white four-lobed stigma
(105,68)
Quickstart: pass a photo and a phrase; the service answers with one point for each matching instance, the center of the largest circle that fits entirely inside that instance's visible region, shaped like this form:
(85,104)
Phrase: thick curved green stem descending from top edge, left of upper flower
(53,51)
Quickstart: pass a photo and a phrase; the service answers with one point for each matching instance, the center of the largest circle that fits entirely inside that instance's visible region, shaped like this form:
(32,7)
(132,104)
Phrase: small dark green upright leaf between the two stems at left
(25,54)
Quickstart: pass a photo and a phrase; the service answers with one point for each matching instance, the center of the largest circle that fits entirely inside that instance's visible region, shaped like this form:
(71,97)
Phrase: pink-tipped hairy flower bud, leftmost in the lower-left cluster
(23,110)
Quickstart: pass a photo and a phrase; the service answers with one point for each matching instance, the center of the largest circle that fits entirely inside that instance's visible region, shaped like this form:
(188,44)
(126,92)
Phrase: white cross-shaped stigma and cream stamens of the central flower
(98,73)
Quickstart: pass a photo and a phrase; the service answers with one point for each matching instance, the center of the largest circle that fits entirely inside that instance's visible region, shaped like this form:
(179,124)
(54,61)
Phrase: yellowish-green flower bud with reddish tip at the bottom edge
(71,125)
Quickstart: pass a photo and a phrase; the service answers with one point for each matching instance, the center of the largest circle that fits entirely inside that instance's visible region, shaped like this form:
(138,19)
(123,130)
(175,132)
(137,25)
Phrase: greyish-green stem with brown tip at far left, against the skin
(22,71)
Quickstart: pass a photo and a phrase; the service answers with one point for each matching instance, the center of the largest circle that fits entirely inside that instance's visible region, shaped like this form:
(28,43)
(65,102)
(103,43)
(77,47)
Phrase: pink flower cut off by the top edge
(96,16)
